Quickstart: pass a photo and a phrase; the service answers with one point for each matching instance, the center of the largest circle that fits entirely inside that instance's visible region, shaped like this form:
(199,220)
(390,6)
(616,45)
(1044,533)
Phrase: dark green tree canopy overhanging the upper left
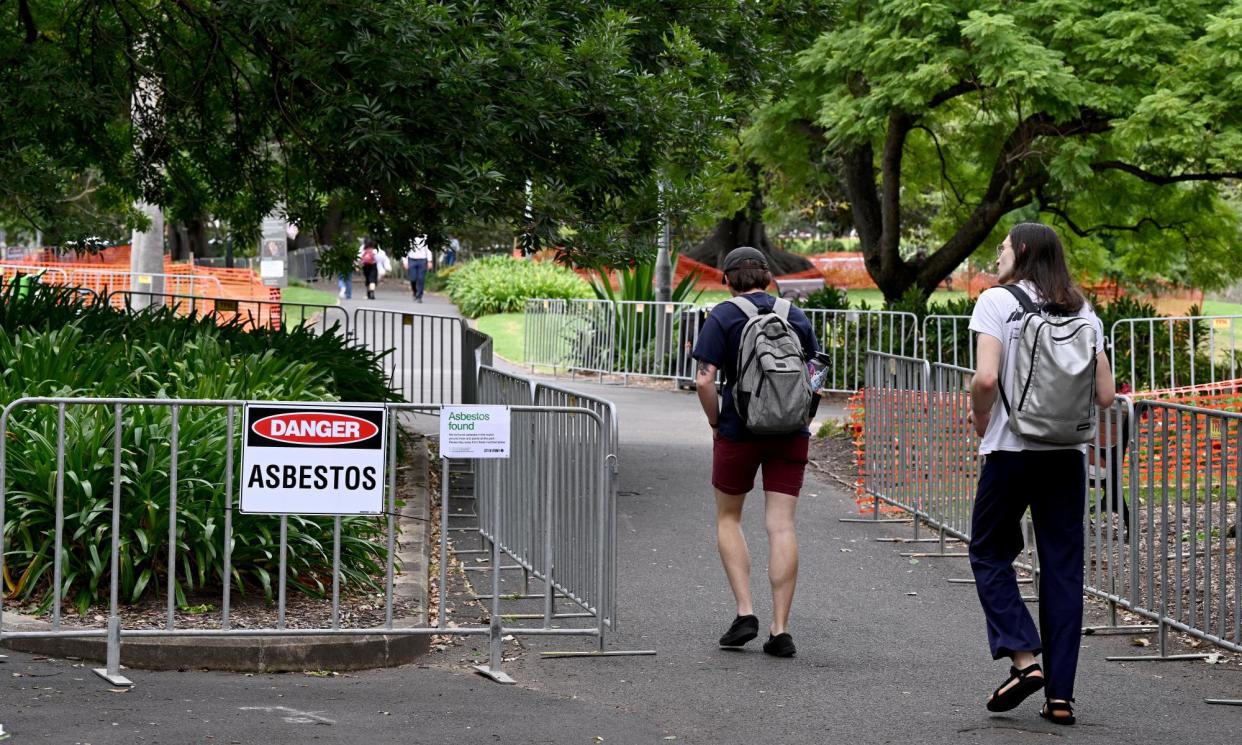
(409,115)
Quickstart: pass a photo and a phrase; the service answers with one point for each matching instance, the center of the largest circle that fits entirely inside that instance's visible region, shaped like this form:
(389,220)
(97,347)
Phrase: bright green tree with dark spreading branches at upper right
(1116,121)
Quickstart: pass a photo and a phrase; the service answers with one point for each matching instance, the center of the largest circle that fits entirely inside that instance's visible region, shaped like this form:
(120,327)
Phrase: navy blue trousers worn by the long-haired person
(1054,485)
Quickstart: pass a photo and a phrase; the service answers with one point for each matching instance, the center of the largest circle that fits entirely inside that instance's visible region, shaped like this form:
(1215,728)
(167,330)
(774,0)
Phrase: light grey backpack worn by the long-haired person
(1054,400)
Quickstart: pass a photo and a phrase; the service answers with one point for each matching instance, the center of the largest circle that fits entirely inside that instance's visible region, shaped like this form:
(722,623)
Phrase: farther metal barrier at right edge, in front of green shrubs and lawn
(1178,353)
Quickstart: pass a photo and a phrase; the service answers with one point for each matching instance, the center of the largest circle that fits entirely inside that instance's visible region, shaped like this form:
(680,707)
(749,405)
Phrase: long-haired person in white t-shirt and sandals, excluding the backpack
(1022,474)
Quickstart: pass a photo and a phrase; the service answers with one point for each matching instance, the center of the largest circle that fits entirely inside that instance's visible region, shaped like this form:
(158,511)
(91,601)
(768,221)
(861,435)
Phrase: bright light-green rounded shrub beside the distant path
(504,285)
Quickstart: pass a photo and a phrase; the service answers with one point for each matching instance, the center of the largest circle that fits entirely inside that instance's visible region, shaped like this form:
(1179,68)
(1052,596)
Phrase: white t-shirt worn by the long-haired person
(999,315)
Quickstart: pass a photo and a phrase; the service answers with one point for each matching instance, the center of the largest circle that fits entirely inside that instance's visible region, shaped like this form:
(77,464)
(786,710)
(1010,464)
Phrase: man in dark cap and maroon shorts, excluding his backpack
(738,454)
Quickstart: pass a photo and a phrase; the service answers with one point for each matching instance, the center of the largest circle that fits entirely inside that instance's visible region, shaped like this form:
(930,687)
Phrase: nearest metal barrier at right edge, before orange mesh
(1182,567)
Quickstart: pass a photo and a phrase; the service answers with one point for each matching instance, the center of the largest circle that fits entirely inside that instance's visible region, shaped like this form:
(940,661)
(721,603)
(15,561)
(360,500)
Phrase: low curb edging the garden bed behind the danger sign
(275,654)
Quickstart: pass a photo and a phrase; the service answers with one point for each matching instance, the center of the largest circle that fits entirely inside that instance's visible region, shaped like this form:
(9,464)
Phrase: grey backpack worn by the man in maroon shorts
(773,395)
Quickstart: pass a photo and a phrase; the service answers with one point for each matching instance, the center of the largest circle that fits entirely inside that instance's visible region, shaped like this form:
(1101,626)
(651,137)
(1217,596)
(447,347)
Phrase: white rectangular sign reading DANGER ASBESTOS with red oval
(314,460)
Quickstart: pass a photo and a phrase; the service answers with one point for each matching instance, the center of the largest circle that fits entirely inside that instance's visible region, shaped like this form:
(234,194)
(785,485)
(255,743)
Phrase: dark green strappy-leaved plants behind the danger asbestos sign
(54,346)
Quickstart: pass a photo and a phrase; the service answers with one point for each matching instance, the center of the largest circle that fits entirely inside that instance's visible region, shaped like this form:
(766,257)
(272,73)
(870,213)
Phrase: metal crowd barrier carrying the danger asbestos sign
(564,522)
